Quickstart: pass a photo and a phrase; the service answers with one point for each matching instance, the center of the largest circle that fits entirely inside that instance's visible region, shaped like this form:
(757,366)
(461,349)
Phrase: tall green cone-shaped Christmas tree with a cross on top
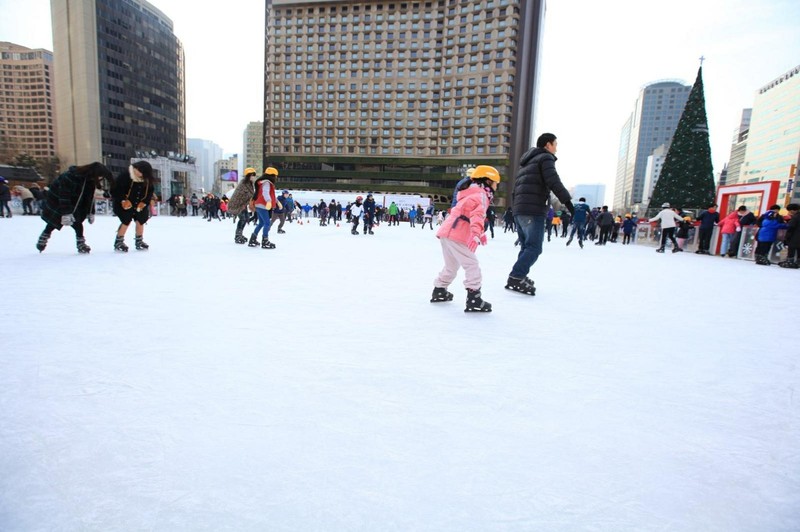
(687,179)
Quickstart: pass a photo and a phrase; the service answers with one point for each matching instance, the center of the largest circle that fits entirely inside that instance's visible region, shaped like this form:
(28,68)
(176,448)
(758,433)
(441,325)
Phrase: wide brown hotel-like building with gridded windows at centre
(398,96)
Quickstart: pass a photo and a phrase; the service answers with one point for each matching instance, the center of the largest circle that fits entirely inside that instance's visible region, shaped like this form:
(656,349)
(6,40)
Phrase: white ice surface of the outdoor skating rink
(208,386)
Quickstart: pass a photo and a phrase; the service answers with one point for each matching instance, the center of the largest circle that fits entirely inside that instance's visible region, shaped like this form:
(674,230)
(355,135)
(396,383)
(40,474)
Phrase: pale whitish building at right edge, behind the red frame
(773,140)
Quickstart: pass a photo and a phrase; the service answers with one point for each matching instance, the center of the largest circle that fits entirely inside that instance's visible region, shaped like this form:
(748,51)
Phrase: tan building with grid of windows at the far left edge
(27,115)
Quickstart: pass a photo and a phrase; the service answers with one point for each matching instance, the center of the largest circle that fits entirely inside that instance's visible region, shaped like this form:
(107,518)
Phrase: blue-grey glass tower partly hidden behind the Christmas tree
(651,124)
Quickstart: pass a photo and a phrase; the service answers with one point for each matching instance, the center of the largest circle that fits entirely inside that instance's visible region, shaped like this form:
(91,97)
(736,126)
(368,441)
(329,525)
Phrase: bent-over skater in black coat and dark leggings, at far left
(70,200)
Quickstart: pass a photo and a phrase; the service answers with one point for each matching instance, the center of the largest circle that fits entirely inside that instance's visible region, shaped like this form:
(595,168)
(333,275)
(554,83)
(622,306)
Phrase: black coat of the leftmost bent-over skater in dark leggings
(69,193)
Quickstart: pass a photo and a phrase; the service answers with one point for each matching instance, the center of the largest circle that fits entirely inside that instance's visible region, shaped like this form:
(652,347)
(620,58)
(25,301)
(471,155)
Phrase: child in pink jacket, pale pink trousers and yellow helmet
(461,234)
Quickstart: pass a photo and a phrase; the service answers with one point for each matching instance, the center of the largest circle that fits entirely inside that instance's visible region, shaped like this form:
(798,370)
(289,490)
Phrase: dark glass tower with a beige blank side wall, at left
(119,82)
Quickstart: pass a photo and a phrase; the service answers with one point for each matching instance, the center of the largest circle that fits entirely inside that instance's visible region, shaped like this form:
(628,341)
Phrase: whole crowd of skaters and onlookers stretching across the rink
(69,201)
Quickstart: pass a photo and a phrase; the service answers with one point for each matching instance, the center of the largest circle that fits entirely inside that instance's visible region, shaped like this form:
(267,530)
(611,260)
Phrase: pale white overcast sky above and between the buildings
(595,58)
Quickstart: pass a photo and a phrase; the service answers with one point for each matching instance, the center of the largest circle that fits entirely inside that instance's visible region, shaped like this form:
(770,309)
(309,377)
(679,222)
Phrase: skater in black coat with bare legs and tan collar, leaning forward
(131,195)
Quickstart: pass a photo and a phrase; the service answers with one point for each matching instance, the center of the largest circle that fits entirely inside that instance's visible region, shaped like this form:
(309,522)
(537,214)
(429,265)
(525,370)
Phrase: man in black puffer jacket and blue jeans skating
(535,180)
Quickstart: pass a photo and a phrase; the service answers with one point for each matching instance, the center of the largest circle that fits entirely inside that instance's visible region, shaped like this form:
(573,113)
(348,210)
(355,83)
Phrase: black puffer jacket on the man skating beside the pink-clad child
(536,179)
